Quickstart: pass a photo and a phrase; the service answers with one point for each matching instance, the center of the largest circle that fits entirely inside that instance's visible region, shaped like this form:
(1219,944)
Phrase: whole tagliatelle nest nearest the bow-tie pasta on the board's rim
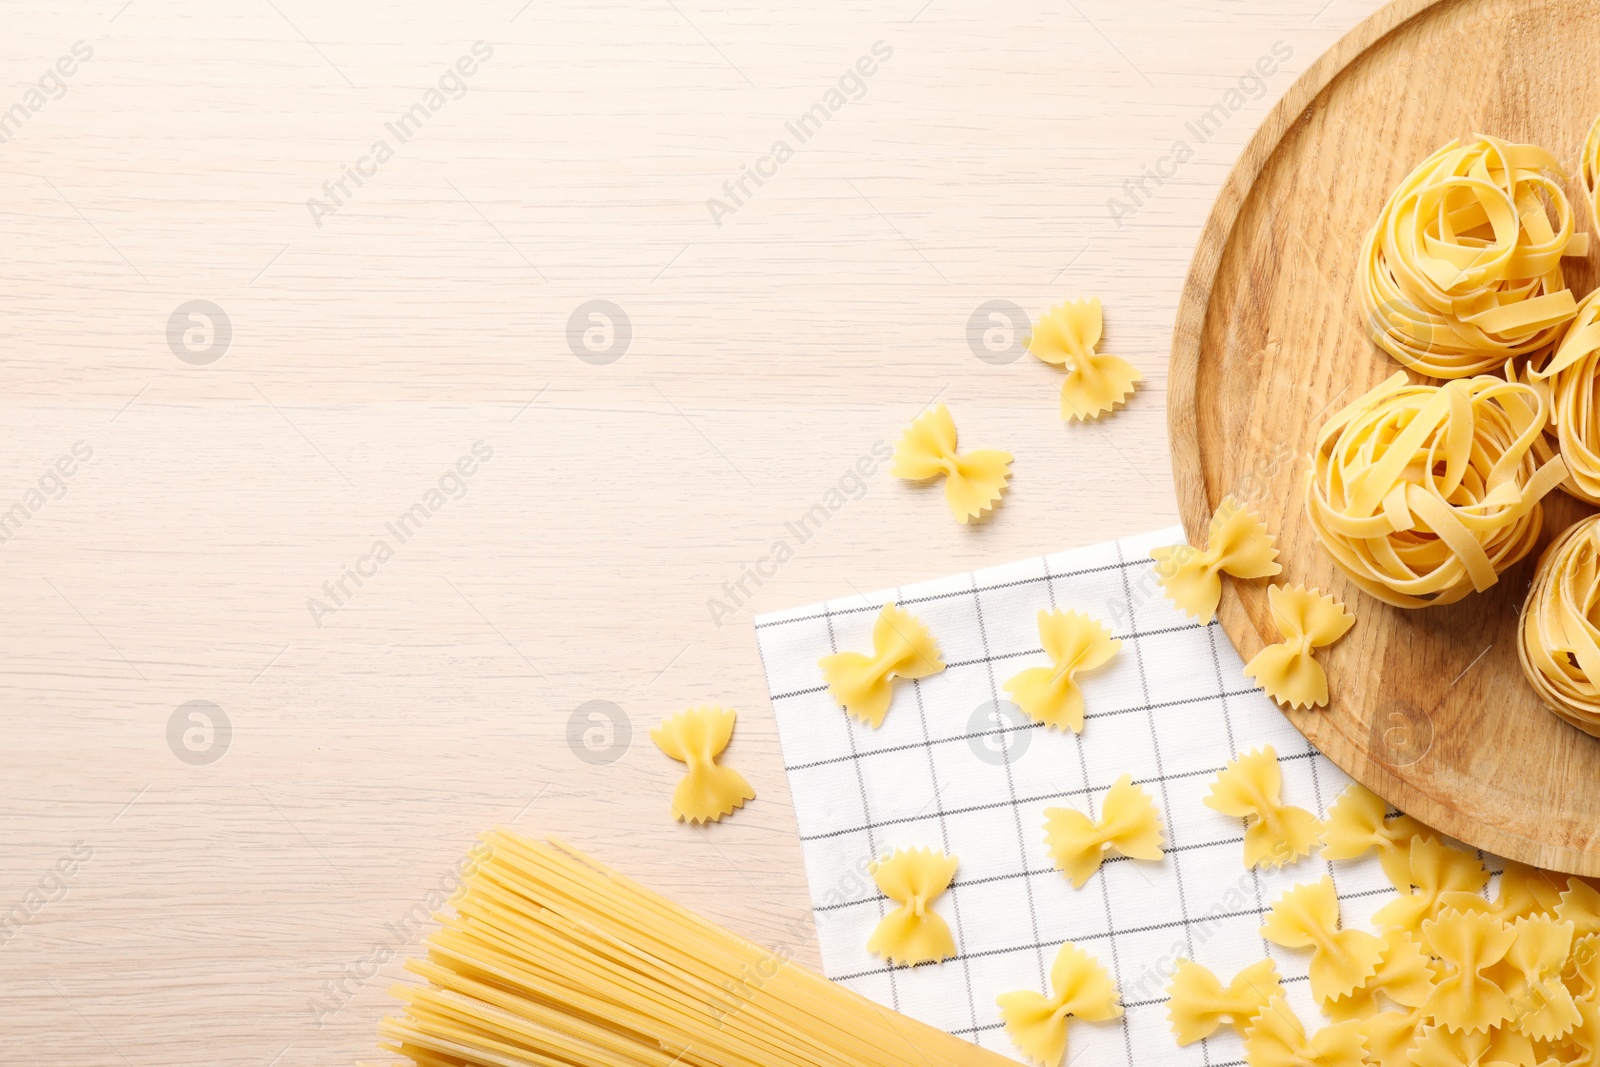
(1426,494)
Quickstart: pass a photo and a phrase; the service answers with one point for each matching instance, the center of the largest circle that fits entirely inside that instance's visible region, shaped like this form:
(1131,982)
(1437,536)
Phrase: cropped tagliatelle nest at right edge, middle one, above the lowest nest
(1572,378)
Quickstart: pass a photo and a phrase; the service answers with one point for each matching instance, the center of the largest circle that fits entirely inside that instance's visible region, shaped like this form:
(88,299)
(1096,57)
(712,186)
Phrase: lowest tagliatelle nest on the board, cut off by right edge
(1559,641)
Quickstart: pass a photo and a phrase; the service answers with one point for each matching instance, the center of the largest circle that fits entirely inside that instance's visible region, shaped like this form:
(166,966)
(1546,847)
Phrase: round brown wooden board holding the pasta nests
(1430,708)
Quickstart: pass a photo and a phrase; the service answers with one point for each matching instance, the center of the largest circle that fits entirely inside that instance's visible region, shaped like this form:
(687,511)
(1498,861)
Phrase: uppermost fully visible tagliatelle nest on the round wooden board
(1465,263)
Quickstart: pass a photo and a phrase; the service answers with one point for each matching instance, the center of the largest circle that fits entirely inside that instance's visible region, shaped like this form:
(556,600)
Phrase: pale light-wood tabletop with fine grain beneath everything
(254,909)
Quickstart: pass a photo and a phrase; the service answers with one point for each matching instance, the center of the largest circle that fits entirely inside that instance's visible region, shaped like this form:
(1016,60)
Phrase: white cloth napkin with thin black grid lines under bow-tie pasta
(956,767)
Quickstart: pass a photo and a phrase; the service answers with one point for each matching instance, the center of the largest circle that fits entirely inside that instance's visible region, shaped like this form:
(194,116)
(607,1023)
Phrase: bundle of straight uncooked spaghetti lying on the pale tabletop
(554,959)
